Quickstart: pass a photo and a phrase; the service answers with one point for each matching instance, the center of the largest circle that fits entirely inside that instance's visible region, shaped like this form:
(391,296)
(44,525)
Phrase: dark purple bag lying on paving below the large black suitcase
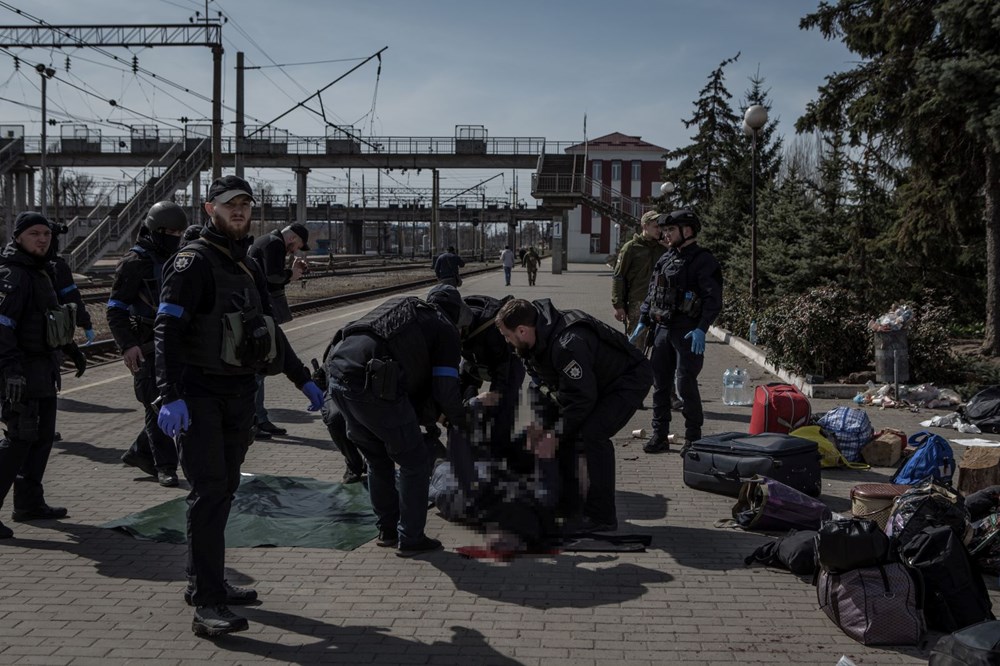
(769,505)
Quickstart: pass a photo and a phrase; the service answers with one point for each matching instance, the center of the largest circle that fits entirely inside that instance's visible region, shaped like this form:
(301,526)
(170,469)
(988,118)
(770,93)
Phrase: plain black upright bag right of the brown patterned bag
(956,595)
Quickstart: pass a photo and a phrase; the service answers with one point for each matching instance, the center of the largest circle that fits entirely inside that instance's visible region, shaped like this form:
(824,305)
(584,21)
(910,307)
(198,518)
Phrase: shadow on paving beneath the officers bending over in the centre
(559,581)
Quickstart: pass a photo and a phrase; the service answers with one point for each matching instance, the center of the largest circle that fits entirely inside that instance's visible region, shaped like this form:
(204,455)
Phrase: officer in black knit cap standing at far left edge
(33,327)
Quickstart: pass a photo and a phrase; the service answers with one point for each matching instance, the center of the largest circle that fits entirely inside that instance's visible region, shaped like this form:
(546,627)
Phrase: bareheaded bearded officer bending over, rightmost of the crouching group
(591,381)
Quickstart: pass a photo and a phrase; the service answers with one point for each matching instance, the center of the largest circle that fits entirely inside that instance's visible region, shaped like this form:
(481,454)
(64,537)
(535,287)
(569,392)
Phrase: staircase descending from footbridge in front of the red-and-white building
(560,182)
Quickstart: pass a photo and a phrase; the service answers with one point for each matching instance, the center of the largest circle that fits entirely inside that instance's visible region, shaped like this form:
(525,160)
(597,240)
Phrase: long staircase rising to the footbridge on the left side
(117,229)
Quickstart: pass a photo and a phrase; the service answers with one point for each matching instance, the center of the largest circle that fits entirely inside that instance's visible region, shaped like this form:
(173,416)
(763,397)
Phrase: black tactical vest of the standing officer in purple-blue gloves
(203,340)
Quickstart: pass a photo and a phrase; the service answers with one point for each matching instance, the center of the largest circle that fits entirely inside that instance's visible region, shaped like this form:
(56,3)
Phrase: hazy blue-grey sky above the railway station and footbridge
(521,68)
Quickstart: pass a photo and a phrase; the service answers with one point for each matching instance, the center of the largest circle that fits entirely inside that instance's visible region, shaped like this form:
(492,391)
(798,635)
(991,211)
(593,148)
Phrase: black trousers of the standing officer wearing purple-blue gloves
(212,450)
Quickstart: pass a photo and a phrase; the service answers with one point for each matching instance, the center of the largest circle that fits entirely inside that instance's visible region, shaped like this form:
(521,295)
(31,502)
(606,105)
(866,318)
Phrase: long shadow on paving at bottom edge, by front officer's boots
(326,643)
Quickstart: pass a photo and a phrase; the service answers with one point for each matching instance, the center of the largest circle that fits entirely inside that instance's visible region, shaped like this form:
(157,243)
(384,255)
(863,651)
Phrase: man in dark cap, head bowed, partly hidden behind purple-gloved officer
(269,251)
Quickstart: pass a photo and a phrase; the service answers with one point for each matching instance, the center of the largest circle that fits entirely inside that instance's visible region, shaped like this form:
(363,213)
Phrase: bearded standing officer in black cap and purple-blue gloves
(212,336)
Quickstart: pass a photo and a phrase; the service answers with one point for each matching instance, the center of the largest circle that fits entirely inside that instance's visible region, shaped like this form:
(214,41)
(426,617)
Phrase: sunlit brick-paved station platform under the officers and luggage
(72,593)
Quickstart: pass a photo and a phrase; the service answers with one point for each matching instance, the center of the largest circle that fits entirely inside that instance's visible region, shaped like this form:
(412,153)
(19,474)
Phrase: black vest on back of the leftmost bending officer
(395,324)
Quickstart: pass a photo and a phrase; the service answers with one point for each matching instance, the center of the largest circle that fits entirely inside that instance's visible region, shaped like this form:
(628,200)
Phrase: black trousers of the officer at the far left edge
(24,450)
